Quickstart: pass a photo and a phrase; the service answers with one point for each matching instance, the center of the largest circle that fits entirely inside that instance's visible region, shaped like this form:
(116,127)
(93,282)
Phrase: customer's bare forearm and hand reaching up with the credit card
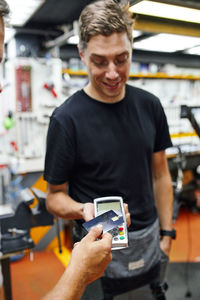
(88,262)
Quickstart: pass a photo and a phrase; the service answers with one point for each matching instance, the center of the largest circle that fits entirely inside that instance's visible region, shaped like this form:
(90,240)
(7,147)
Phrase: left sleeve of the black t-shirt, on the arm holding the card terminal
(60,154)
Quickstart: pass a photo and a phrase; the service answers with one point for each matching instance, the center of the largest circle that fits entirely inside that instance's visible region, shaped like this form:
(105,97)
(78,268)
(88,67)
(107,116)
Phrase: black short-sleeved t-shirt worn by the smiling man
(104,149)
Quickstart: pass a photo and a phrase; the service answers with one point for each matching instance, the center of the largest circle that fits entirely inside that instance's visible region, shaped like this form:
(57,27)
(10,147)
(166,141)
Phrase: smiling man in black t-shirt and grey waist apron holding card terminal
(109,139)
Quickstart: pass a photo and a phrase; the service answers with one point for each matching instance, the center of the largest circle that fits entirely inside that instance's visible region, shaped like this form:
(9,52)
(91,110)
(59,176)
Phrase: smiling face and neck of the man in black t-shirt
(107,59)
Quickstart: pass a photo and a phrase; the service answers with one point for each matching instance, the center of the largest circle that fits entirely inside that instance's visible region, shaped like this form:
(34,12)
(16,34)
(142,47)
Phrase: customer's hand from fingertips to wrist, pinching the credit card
(90,257)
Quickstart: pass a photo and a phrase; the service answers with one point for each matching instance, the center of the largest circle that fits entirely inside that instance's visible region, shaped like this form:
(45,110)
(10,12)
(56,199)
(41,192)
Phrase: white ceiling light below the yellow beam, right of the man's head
(164,42)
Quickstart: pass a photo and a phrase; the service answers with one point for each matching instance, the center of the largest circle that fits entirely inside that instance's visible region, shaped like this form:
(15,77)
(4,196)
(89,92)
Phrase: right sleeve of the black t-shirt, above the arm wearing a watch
(162,140)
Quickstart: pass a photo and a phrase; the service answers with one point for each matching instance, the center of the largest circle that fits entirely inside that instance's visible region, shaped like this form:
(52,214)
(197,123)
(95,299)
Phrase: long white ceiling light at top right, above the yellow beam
(168,11)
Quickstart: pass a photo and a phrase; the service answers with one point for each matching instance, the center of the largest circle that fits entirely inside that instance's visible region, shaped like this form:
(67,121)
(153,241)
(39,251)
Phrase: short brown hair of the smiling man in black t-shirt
(104,17)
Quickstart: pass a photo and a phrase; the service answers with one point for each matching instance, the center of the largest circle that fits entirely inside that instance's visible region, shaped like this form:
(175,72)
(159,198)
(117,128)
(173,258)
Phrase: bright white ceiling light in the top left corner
(21,11)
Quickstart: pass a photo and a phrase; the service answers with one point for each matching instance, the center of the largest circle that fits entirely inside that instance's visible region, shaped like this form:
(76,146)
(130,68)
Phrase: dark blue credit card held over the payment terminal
(108,220)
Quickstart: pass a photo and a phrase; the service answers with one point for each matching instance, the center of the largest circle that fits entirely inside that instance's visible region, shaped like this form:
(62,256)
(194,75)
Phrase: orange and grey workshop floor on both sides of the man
(33,279)
